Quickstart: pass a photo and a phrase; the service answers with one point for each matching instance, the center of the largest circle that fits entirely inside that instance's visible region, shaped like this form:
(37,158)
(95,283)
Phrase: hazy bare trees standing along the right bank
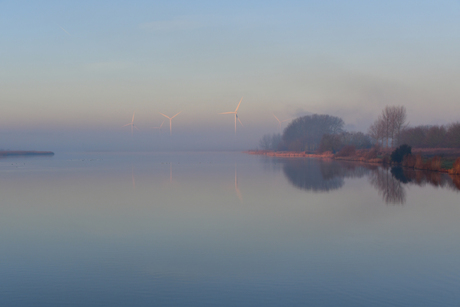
(319,133)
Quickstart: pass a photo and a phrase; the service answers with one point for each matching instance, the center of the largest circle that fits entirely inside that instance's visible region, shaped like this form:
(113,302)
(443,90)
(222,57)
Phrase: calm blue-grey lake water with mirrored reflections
(224,229)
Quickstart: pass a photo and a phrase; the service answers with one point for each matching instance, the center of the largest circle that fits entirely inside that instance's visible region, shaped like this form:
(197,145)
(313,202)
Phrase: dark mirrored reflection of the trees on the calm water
(323,176)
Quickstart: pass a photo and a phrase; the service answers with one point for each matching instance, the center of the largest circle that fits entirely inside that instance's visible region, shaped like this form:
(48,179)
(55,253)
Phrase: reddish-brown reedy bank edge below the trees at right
(360,159)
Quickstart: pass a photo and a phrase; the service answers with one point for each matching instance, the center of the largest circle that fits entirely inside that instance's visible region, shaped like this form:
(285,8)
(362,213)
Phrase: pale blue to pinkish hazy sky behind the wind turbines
(73,72)
